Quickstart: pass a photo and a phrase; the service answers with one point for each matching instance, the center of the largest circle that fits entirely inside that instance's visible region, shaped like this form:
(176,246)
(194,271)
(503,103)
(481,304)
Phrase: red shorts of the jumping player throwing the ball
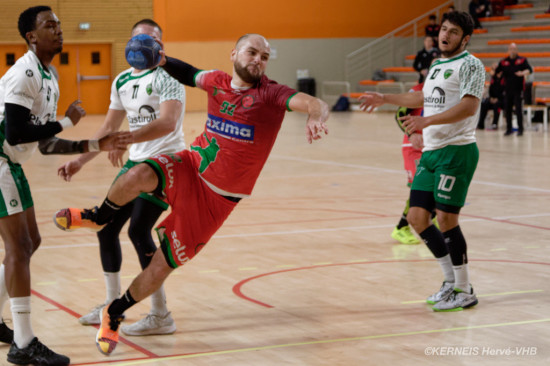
(197,211)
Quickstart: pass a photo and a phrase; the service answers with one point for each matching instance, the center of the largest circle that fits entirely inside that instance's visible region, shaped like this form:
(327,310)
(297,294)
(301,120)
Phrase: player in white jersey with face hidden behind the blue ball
(153,103)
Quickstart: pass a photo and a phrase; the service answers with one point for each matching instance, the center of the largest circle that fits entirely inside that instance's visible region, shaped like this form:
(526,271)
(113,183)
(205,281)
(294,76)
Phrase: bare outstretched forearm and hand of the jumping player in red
(318,113)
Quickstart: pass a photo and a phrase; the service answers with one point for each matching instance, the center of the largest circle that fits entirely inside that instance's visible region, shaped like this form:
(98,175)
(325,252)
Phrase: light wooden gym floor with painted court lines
(305,271)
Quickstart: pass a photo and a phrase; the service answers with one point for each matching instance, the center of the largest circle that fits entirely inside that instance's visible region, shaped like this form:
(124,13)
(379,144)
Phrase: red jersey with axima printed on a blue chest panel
(240,131)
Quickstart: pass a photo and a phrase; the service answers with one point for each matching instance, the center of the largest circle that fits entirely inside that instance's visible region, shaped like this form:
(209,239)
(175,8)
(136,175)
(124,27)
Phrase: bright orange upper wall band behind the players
(218,20)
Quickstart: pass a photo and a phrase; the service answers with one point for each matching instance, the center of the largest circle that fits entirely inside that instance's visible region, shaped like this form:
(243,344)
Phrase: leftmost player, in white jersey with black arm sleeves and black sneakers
(28,104)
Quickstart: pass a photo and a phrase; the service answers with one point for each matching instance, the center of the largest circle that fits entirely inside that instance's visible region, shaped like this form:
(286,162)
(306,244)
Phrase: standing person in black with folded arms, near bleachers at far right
(514,69)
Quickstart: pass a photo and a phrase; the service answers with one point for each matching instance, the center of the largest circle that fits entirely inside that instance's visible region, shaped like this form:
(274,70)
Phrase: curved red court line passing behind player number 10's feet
(237,289)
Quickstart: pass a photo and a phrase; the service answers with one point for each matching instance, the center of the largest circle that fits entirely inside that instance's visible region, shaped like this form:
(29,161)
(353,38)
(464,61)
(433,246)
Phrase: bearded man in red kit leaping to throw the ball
(203,184)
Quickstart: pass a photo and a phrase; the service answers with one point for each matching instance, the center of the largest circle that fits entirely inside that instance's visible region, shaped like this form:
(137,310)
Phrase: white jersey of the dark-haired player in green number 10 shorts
(447,82)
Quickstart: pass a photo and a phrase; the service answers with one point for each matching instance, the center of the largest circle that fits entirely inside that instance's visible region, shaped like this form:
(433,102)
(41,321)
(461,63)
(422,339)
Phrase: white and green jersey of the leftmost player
(28,84)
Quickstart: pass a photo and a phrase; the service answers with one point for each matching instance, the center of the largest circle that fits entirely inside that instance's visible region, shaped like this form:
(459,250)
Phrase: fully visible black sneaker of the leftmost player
(36,354)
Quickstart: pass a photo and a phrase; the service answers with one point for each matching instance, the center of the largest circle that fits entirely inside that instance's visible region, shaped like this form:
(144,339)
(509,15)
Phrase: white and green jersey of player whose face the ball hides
(140,94)
